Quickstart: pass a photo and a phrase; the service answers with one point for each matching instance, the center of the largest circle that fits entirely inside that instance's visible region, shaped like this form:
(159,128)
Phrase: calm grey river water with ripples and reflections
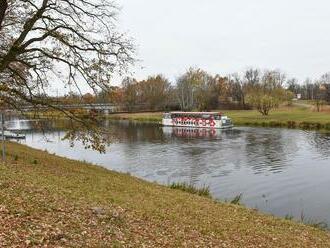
(280,171)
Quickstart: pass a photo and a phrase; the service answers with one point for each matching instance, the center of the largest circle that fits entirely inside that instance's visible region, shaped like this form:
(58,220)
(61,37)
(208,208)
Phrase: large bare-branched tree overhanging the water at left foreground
(72,42)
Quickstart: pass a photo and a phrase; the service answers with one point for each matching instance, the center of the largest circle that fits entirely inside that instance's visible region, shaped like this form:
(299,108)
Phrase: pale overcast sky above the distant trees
(223,36)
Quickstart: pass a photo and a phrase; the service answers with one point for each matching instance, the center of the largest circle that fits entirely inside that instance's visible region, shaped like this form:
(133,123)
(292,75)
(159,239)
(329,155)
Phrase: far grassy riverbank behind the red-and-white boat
(291,117)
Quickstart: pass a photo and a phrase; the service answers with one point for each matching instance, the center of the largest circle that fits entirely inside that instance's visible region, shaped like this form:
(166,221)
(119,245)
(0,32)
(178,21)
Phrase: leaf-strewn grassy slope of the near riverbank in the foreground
(50,200)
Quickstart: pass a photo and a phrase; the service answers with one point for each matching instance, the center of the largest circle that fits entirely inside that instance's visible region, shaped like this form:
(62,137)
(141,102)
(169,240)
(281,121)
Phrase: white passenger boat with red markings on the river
(213,120)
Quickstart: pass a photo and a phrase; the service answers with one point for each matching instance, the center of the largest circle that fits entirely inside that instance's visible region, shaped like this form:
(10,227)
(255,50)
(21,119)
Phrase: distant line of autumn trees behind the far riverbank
(197,89)
